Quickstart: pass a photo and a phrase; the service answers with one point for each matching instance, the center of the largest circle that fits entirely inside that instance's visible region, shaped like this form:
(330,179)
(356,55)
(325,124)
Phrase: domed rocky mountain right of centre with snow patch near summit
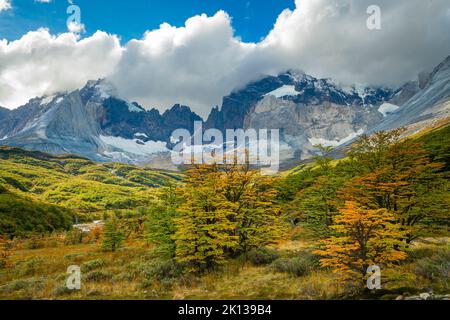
(308,111)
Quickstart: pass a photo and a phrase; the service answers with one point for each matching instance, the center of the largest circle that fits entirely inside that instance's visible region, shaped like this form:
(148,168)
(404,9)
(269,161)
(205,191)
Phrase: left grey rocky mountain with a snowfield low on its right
(94,123)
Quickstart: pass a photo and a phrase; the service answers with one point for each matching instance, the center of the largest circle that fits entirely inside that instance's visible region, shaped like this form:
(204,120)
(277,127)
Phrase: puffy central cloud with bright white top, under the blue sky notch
(195,65)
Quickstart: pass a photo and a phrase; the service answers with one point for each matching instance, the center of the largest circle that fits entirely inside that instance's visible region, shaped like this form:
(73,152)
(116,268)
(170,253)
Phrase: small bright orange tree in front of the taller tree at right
(365,237)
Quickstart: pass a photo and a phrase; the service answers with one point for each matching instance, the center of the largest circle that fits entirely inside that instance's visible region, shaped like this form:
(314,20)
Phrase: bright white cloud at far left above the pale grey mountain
(40,64)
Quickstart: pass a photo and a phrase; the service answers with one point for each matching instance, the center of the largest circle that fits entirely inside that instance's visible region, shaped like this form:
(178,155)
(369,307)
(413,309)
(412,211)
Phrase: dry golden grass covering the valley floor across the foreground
(41,274)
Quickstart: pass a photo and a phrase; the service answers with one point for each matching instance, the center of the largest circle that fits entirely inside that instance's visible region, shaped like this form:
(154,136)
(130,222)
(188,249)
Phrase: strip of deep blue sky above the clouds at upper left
(252,19)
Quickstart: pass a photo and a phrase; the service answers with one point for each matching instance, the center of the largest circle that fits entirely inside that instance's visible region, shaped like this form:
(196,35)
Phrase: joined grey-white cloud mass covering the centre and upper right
(201,62)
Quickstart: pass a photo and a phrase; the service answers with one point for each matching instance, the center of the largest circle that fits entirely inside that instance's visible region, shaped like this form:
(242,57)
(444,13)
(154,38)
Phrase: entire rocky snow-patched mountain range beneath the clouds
(96,123)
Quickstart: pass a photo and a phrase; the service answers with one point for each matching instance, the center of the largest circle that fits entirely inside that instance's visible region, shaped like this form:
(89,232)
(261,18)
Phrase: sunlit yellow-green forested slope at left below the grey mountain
(73,182)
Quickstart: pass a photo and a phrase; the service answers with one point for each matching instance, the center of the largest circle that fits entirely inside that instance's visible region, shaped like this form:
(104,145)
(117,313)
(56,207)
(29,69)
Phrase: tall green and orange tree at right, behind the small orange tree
(397,175)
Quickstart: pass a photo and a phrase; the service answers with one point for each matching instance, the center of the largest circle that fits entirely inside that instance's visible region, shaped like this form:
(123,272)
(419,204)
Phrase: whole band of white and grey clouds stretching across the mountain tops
(200,62)
